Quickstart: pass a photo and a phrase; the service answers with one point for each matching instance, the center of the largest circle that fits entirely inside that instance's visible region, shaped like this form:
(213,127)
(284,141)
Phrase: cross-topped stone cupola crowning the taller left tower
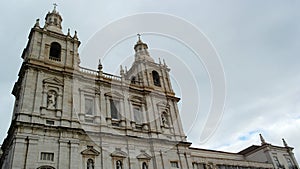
(53,21)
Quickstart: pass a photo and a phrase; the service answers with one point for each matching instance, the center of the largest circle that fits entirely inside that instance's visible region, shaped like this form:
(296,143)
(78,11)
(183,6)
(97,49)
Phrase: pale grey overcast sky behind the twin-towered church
(257,41)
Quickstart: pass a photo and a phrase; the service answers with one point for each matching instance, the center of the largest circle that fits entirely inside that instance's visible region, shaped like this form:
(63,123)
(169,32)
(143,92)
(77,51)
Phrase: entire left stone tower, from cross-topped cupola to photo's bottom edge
(43,99)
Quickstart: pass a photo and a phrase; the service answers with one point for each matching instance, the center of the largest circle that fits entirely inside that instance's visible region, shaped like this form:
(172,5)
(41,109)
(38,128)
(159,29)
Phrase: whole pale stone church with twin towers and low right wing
(67,116)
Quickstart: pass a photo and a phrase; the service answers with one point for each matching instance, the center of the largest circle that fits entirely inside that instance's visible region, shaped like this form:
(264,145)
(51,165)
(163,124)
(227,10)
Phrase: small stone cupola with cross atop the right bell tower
(141,51)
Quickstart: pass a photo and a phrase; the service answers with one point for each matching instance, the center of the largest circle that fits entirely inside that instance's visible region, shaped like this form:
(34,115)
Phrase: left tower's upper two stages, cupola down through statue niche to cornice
(50,60)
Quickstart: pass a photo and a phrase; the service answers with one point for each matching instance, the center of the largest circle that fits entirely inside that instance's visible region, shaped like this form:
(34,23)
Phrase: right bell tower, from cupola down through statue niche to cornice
(154,79)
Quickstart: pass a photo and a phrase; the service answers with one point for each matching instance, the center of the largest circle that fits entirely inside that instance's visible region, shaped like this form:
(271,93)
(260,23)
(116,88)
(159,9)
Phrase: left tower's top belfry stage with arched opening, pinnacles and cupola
(49,46)
